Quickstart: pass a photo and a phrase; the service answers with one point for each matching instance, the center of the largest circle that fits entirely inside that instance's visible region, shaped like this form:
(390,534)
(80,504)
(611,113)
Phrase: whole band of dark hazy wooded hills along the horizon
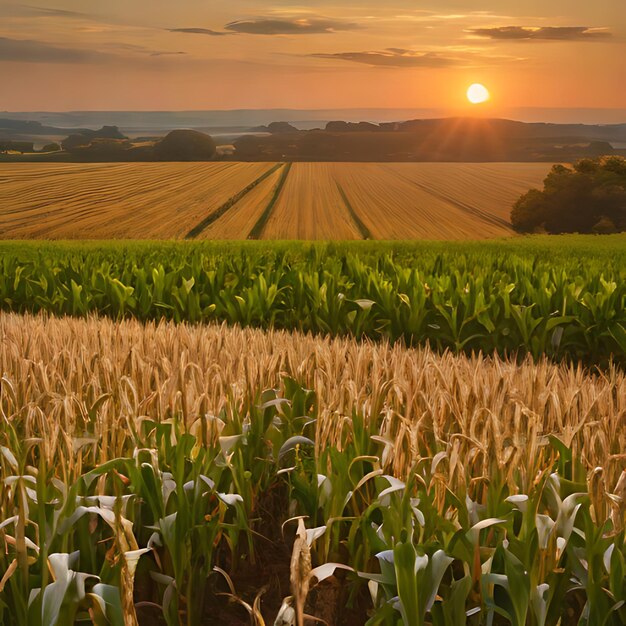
(452,139)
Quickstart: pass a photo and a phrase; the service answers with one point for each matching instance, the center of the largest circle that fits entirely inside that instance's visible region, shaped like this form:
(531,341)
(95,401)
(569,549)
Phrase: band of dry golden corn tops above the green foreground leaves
(56,369)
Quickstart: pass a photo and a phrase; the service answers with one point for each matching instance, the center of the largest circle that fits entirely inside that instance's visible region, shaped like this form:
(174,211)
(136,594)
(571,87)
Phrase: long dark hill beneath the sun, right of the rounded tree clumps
(446,139)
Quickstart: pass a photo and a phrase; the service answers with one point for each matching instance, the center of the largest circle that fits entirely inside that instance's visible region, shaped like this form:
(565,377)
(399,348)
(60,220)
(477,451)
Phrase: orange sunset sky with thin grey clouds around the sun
(60,55)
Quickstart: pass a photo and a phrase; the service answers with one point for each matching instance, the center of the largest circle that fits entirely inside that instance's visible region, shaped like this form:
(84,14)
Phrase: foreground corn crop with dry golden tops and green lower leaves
(176,453)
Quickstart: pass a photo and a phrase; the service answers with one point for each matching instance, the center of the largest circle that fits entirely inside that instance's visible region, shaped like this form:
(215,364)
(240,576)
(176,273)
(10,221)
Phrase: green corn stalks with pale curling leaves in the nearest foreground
(170,524)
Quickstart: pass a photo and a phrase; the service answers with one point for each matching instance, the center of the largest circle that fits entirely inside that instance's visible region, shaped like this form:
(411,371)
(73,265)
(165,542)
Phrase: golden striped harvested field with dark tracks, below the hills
(262,200)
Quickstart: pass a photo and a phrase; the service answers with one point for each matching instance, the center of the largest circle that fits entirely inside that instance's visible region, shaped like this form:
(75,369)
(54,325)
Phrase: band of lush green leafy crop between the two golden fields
(464,299)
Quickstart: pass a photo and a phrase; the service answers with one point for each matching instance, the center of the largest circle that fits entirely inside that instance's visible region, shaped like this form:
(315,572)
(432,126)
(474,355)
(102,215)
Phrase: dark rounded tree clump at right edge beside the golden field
(588,197)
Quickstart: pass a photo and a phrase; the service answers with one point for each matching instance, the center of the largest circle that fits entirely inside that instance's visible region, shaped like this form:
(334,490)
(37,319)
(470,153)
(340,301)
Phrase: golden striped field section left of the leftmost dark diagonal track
(117,200)
